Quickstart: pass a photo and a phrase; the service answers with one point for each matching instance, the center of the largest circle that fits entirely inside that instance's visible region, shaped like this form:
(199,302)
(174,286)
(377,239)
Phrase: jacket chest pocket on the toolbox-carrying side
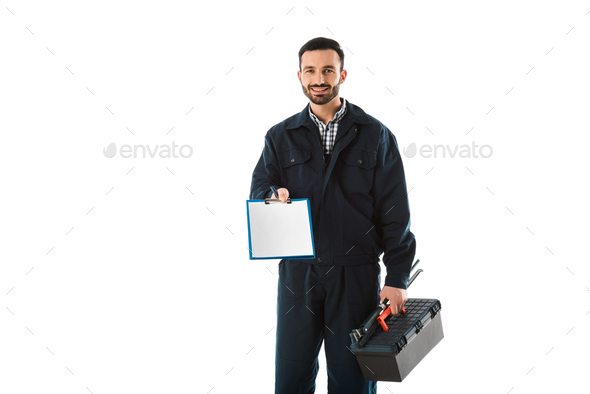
(356,171)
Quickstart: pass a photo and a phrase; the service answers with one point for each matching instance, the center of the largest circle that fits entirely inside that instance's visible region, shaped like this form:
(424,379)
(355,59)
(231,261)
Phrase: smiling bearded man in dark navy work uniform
(348,164)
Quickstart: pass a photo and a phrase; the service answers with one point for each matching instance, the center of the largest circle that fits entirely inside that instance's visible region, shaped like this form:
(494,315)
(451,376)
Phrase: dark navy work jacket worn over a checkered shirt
(359,203)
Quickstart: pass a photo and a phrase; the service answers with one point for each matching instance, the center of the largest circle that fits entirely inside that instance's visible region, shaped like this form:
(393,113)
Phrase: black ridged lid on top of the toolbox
(402,327)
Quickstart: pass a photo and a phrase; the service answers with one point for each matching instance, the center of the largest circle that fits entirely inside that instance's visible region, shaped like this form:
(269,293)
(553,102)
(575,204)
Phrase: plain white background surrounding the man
(132,275)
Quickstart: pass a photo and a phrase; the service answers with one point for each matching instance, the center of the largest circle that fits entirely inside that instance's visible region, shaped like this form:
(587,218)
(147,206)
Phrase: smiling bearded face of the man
(320,75)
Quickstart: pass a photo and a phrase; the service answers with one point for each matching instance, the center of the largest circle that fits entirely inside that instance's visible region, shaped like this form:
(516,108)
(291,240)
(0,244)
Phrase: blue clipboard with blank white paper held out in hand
(280,230)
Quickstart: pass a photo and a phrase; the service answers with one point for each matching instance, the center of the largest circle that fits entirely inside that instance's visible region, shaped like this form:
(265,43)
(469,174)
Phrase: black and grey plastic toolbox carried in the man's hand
(388,347)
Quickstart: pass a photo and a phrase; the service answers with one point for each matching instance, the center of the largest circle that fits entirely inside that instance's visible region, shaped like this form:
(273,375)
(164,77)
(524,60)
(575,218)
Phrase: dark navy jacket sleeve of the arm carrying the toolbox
(392,212)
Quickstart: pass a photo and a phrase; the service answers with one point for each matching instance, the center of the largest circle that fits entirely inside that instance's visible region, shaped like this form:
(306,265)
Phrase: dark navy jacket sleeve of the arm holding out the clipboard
(266,173)
